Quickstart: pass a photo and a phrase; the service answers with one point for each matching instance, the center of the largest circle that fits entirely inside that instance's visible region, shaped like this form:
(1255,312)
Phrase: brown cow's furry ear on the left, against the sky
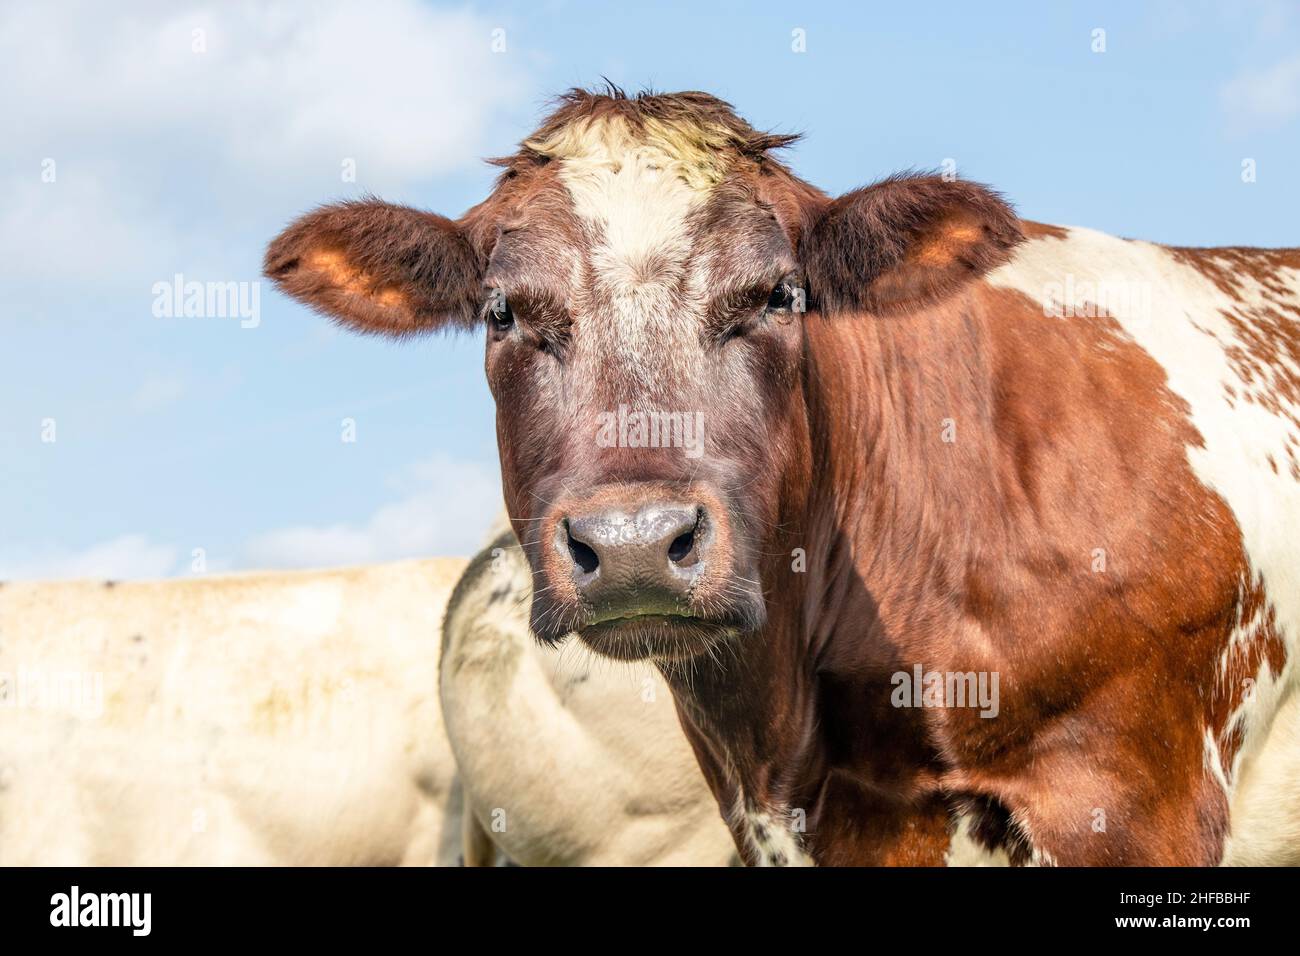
(379,269)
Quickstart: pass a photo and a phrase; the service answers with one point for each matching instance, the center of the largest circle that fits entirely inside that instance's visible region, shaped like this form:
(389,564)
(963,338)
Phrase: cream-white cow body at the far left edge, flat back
(242,720)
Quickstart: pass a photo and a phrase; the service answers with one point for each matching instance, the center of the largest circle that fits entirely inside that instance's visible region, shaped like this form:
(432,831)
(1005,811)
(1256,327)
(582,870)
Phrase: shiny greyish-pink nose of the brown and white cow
(644,561)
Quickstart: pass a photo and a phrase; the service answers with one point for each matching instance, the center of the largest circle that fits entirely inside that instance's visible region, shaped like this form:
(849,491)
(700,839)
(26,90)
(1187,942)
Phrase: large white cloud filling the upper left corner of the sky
(151,136)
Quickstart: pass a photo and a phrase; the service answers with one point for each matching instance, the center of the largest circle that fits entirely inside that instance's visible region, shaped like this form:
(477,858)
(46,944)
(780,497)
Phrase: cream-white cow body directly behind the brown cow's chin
(566,759)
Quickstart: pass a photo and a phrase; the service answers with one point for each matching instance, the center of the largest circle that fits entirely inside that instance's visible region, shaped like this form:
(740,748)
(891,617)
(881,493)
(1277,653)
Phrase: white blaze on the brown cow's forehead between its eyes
(635,192)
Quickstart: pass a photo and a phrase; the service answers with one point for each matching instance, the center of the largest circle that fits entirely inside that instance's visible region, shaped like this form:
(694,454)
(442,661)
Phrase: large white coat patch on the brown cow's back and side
(1177,315)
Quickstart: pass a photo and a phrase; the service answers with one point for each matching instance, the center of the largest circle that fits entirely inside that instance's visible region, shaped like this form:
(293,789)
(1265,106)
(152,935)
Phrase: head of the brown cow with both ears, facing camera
(644,272)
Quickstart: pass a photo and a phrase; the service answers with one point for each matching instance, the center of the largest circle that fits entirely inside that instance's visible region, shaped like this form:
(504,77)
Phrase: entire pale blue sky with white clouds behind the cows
(179,152)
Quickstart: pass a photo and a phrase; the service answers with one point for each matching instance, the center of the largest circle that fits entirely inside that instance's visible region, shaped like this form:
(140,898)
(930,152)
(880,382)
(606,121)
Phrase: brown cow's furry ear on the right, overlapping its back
(905,243)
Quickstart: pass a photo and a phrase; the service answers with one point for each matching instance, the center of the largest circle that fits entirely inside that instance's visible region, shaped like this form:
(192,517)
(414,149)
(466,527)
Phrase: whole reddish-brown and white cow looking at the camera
(800,451)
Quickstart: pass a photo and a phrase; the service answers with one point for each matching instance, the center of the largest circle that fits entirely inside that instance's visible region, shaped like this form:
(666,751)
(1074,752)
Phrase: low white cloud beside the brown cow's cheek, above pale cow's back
(445,509)
